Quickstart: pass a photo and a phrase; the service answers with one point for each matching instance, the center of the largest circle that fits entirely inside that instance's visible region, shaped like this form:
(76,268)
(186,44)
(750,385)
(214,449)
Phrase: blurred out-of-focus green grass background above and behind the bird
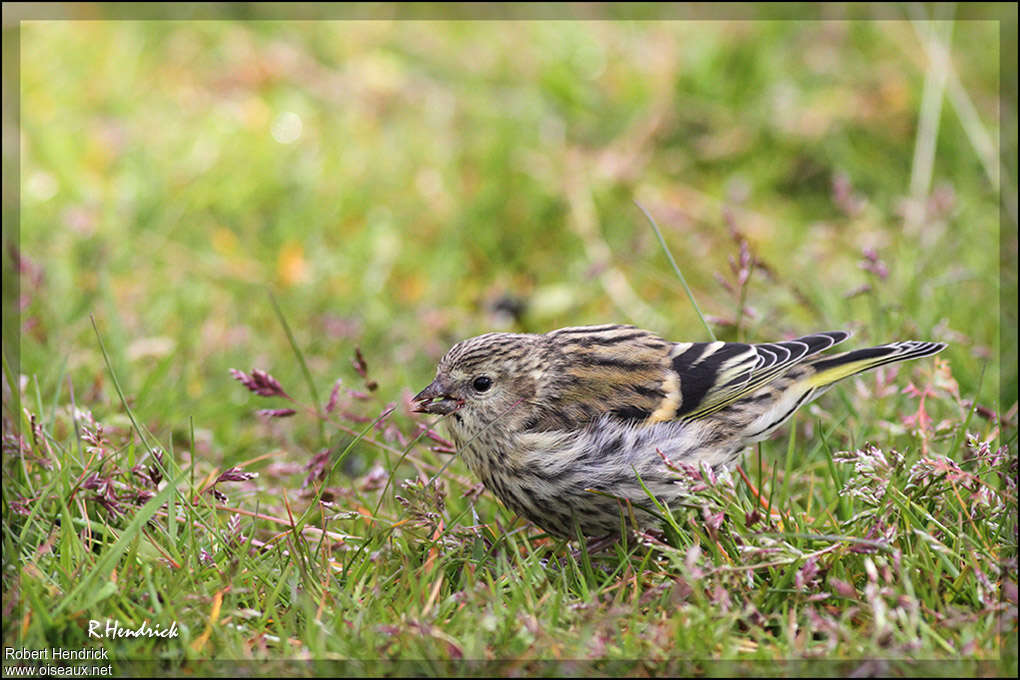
(400,185)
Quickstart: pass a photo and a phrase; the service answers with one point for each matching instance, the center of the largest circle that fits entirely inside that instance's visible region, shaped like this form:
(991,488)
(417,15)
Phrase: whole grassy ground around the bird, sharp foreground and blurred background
(325,208)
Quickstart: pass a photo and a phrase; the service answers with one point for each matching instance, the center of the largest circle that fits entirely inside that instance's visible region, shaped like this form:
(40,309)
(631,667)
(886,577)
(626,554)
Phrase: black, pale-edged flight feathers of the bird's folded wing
(713,376)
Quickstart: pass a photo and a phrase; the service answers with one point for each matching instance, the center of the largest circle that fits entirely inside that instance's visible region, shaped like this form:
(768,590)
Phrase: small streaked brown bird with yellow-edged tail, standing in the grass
(562,426)
